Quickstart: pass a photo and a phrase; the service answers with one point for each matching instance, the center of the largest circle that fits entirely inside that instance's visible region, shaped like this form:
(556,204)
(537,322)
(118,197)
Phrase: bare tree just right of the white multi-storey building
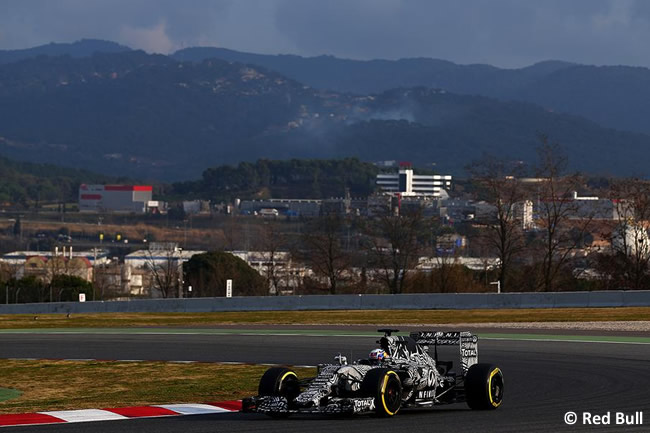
(505,233)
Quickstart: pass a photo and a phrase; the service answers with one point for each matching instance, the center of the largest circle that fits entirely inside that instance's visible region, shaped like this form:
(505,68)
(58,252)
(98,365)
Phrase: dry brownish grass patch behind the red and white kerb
(60,385)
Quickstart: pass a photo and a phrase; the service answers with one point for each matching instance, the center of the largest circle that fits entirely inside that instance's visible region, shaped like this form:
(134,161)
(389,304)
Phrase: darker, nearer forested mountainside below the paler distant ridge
(152,117)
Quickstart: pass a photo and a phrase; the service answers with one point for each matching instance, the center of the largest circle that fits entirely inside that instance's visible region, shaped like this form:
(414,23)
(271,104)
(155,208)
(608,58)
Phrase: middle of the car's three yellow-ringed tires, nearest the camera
(386,387)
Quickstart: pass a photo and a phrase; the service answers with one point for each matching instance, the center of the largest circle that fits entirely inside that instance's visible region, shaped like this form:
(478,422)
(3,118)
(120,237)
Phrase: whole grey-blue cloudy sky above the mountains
(507,33)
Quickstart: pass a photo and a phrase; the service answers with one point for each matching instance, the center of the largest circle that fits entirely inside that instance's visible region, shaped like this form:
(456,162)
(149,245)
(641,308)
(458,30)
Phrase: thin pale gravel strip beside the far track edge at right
(621,326)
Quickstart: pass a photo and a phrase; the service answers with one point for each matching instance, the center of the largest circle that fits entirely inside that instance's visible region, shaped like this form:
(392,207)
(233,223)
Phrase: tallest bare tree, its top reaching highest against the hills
(556,208)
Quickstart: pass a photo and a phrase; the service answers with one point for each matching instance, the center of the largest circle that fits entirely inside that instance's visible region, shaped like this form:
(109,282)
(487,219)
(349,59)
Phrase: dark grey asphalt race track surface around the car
(544,380)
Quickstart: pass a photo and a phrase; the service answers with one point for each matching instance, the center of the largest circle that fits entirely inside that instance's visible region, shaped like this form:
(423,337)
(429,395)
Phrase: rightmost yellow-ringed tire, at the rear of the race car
(484,387)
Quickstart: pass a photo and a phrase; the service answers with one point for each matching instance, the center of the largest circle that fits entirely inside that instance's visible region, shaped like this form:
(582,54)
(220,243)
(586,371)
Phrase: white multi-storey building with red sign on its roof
(406,183)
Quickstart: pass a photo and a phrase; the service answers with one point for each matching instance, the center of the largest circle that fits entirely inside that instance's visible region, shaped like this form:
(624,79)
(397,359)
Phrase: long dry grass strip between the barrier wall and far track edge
(349,317)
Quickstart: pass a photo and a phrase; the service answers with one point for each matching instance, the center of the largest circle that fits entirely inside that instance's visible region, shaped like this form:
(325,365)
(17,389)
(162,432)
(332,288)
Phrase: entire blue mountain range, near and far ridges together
(104,107)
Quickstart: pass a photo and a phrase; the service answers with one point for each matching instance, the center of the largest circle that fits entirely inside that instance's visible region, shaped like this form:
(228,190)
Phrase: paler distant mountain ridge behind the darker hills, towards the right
(613,96)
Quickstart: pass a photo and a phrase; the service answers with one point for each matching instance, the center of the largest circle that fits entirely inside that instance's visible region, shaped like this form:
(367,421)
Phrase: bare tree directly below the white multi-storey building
(394,244)
